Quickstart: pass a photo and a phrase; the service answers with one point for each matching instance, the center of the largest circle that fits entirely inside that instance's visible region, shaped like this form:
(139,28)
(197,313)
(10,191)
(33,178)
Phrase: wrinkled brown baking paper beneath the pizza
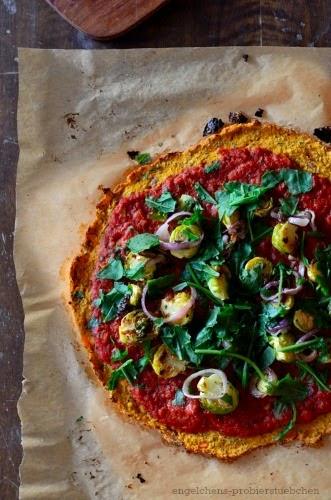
(79,112)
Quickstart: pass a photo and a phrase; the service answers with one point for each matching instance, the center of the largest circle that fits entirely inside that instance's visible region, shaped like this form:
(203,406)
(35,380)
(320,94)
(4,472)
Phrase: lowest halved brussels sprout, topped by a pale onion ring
(212,386)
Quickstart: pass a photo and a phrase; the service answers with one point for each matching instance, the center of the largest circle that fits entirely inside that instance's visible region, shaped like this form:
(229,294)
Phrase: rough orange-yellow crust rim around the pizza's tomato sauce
(310,155)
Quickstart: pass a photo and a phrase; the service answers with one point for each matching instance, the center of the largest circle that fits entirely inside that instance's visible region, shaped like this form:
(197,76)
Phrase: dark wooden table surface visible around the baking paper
(32,23)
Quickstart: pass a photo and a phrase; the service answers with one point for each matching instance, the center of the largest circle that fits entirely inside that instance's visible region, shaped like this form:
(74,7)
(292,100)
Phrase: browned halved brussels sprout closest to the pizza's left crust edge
(136,327)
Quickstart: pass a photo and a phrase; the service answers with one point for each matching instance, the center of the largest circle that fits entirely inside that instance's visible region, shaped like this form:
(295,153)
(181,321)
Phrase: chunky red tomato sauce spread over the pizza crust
(131,216)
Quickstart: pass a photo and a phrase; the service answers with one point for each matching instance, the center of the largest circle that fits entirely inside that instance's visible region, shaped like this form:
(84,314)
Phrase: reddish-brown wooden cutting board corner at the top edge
(105,19)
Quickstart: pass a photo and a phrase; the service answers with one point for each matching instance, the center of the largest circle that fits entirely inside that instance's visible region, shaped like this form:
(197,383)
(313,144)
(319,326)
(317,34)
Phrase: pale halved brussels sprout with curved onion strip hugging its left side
(172,305)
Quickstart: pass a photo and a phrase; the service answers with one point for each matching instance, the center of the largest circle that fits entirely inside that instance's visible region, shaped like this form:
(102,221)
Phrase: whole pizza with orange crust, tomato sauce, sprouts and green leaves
(202,291)
